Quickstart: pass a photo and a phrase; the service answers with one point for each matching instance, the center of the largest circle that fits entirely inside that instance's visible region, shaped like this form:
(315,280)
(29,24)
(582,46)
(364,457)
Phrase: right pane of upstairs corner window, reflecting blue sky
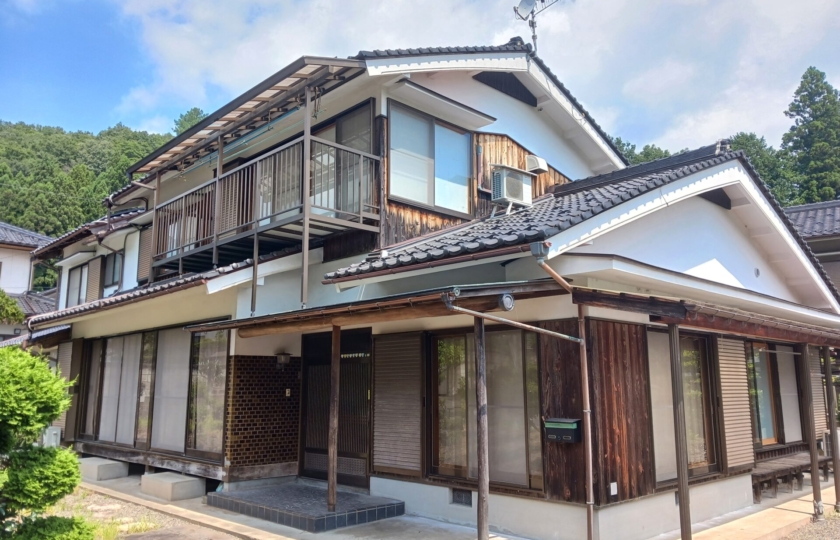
(452,169)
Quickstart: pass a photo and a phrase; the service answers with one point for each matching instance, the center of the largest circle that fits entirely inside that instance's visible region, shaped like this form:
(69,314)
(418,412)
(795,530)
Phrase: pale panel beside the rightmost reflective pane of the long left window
(171,389)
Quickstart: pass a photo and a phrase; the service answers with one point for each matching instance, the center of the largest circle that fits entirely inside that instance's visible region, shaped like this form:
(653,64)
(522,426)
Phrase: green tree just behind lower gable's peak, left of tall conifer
(771,165)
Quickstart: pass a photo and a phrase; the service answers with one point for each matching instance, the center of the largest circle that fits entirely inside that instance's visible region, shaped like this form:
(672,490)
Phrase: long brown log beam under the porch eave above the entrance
(434,309)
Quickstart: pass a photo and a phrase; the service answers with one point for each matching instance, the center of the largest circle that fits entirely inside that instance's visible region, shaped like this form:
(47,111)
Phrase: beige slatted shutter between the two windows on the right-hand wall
(735,397)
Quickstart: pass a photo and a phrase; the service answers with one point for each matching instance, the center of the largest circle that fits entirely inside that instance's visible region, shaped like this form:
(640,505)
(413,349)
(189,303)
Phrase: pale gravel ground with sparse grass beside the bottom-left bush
(117,519)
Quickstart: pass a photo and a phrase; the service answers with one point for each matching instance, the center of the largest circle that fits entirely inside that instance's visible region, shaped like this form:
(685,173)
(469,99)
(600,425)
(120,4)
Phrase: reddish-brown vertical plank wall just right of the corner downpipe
(623,442)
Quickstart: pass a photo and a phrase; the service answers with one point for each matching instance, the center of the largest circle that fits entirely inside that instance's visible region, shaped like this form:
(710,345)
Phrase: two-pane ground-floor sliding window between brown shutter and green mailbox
(514,427)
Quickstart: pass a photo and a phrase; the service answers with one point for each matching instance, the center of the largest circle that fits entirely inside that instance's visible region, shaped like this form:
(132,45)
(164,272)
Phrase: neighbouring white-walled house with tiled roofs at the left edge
(16,244)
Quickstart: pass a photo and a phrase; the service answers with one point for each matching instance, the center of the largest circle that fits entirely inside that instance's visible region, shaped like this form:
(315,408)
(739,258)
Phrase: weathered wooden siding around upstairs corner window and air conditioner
(403,222)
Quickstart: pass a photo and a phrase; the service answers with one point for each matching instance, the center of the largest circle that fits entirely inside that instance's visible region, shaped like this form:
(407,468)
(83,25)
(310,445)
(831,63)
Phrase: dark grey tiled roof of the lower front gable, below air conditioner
(568,205)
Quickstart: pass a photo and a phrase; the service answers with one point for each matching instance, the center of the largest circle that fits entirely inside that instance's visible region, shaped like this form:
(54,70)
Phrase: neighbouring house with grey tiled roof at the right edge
(819,225)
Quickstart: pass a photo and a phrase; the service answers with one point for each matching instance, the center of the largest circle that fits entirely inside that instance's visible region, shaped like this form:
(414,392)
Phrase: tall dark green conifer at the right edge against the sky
(813,142)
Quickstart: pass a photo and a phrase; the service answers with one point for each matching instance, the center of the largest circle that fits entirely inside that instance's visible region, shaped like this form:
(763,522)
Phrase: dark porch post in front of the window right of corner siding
(679,431)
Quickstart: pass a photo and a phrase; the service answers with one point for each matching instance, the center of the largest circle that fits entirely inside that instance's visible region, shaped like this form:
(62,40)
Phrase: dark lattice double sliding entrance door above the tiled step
(353,406)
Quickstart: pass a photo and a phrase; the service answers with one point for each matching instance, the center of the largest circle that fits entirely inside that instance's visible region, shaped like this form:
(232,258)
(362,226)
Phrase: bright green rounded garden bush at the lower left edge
(33,478)
